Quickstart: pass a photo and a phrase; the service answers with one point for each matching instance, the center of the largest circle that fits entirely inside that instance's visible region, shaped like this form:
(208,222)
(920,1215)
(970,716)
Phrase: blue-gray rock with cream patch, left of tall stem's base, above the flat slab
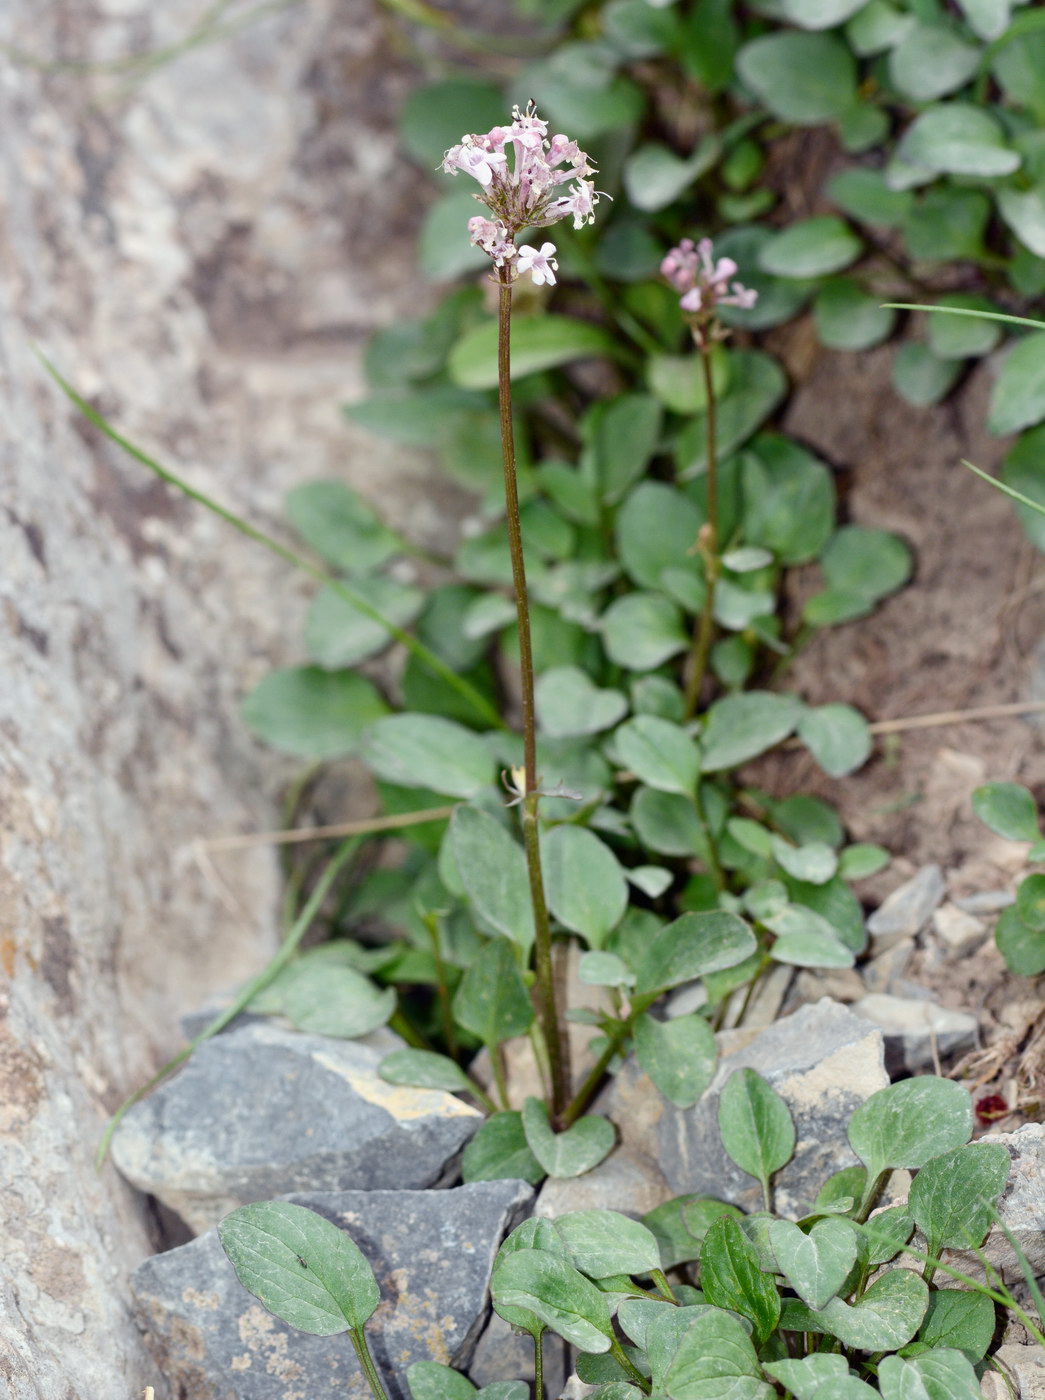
(261,1112)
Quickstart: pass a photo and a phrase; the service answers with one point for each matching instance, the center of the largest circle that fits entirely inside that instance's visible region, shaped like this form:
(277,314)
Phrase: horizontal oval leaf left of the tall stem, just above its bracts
(427,751)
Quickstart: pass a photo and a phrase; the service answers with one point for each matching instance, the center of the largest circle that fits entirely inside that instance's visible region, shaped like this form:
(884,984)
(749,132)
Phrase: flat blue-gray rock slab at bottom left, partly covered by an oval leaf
(432,1254)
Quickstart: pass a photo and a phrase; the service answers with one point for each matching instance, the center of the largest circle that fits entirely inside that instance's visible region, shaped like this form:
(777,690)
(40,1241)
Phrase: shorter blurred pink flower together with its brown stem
(705,285)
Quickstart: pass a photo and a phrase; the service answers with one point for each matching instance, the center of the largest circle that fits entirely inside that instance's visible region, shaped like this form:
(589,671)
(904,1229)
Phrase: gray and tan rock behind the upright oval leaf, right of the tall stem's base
(824,1062)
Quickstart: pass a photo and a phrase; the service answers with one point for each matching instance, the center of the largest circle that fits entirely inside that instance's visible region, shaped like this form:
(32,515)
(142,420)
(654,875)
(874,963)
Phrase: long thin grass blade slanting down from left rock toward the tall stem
(289,556)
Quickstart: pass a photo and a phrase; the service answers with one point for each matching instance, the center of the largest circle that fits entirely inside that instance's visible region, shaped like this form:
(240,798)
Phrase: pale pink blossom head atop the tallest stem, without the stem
(520,173)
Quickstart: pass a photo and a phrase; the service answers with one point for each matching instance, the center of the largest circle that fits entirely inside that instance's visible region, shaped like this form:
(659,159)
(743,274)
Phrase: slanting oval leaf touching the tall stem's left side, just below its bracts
(494,873)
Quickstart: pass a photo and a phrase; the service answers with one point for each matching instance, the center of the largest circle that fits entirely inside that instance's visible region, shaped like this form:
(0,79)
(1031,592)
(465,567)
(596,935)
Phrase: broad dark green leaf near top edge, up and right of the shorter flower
(806,79)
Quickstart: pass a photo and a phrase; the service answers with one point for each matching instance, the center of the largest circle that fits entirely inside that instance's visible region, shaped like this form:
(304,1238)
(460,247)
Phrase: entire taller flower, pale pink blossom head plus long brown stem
(520,173)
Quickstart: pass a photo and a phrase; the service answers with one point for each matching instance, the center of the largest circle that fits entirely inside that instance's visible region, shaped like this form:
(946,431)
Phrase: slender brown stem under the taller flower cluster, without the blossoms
(548,1007)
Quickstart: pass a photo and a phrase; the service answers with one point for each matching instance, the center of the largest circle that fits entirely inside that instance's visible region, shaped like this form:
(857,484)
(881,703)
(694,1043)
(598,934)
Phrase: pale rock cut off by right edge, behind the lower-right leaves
(1022,1210)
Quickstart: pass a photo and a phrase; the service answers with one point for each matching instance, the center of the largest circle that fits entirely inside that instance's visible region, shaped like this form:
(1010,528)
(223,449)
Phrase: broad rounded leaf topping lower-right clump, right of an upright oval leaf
(908,1123)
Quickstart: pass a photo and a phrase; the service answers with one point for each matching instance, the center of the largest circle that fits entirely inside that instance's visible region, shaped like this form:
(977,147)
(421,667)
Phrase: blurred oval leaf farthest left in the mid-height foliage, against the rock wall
(313,713)
